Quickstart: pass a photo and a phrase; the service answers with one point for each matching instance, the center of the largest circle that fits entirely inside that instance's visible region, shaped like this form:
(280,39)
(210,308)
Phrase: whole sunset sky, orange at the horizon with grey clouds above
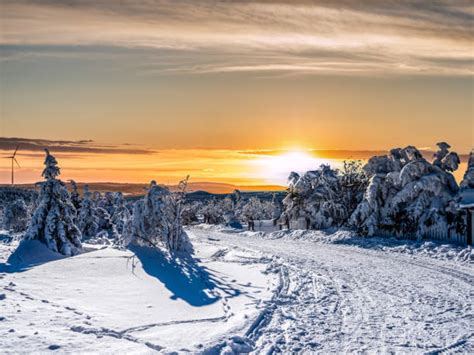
(161,89)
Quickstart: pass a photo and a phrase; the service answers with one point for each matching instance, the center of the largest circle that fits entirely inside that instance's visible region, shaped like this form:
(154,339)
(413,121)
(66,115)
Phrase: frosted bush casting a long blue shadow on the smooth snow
(157,220)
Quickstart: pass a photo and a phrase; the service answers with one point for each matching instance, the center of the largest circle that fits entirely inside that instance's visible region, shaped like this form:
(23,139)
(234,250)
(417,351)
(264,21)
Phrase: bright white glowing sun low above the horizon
(276,168)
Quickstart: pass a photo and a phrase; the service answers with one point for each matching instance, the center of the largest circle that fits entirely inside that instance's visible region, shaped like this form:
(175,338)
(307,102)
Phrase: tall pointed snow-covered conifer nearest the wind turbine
(53,221)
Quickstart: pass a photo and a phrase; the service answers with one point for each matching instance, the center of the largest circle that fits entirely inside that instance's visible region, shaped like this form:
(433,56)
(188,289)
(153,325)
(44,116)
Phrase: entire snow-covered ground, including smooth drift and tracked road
(281,292)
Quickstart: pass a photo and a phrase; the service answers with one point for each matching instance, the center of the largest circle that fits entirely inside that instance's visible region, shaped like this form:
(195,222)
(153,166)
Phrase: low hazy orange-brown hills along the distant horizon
(139,189)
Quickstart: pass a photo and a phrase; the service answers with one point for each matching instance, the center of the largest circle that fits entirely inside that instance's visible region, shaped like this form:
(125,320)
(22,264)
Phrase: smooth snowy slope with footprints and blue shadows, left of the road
(122,301)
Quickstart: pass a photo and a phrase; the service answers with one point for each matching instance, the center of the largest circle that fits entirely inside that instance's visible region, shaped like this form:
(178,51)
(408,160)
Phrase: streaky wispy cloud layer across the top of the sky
(340,36)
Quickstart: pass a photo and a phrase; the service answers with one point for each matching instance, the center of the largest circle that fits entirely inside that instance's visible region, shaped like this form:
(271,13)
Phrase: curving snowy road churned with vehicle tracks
(336,298)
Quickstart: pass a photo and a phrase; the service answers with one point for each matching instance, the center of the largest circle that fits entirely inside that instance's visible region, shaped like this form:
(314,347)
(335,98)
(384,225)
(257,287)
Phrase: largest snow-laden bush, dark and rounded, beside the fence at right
(407,194)
